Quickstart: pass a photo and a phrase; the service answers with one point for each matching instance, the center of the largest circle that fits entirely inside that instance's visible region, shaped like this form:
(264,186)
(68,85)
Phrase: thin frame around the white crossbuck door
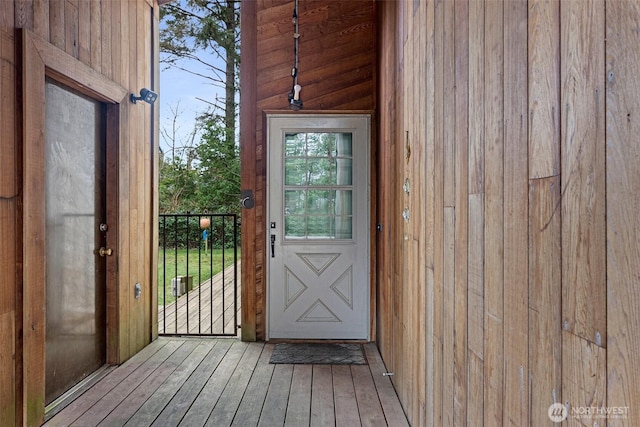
(371,208)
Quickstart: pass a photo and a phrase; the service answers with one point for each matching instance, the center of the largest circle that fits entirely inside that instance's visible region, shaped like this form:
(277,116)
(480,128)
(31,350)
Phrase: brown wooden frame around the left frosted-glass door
(40,60)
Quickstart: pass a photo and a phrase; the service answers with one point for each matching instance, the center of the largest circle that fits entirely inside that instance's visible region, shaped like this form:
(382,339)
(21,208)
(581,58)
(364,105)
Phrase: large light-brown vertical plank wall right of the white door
(514,284)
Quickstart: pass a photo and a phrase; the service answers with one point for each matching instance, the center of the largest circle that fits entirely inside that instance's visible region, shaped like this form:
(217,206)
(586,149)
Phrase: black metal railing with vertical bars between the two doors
(198,274)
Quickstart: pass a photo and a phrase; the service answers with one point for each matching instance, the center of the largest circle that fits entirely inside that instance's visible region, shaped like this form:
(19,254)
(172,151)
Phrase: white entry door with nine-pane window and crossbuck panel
(318,245)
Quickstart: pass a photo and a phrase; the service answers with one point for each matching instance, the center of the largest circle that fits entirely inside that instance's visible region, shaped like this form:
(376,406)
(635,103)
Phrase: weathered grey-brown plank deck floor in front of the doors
(223,381)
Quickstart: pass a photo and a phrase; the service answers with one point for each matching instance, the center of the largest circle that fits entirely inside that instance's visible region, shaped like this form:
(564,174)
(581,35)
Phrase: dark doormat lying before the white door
(318,354)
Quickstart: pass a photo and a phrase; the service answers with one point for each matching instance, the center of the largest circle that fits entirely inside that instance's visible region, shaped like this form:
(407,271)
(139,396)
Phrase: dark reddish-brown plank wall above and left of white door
(337,73)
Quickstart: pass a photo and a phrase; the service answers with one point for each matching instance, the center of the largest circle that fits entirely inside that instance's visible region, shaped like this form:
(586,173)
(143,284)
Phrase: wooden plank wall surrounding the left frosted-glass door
(114,38)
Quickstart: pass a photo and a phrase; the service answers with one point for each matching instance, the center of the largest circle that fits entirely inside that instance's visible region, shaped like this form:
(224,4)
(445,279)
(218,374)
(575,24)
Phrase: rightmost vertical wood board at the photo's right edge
(623,206)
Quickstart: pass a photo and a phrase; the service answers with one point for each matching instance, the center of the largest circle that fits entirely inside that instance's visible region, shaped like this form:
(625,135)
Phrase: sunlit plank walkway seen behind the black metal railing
(208,309)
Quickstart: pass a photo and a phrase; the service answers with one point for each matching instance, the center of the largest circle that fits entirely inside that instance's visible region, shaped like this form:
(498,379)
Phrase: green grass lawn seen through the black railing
(201,265)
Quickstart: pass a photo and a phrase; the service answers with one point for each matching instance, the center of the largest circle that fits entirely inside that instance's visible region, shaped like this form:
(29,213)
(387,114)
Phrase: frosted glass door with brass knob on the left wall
(75,283)
